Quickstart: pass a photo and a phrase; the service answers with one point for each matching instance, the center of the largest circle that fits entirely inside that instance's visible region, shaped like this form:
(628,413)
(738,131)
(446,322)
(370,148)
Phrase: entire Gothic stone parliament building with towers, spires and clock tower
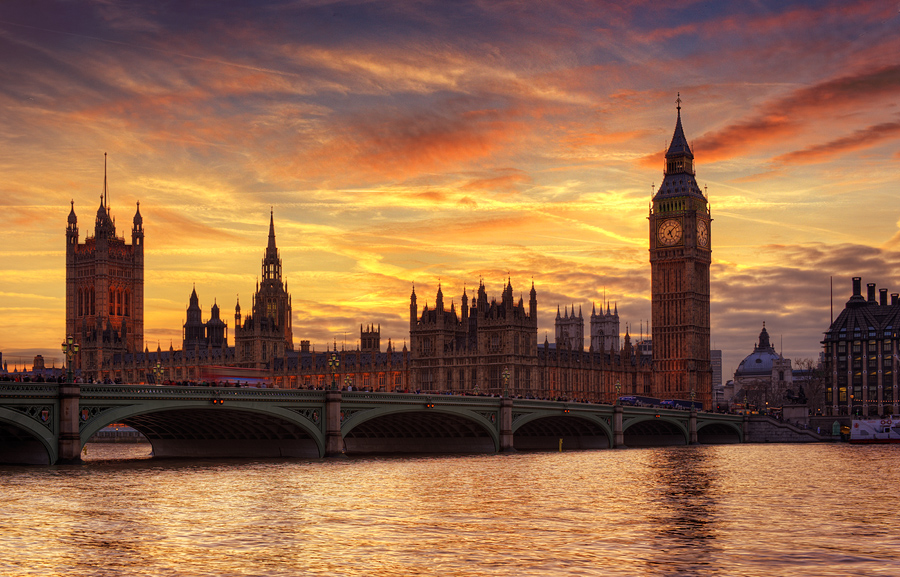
(489,345)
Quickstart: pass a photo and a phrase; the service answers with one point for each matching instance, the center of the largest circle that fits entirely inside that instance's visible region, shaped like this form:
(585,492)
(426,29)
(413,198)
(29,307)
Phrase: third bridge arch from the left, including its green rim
(409,429)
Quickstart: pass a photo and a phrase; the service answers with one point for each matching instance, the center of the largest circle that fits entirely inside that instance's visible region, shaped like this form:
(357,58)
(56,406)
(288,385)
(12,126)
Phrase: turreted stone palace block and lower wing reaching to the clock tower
(491,347)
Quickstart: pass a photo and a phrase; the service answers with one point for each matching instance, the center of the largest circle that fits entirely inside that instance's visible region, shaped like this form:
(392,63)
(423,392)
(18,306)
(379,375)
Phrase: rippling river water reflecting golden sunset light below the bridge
(731,510)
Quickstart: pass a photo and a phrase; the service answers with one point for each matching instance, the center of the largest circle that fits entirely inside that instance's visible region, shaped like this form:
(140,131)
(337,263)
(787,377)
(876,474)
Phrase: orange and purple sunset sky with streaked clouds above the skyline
(425,142)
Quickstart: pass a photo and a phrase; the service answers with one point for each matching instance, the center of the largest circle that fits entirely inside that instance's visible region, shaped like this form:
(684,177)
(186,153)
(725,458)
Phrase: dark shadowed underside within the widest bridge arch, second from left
(220,433)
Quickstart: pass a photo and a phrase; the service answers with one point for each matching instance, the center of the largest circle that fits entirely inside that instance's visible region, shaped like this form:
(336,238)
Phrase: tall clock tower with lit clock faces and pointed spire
(680,245)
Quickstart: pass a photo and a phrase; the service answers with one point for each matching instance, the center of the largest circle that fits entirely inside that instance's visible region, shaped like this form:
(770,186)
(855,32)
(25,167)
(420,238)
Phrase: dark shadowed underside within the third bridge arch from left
(419,432)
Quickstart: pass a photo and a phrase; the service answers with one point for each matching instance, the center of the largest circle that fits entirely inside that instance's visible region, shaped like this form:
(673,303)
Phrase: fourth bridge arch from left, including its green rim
(543,431)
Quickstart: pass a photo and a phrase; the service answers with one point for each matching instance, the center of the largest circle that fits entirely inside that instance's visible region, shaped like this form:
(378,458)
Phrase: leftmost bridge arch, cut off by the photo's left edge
(26,441)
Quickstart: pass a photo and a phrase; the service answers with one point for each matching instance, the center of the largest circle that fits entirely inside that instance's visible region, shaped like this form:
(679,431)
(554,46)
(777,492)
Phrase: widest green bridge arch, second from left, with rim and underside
(202,430)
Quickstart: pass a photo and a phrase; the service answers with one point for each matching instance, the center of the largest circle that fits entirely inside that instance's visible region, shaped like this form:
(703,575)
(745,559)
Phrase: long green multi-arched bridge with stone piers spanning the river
(47,423)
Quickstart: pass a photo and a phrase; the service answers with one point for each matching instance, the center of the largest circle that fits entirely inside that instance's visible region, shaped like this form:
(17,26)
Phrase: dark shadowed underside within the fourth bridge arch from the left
(544,435)
